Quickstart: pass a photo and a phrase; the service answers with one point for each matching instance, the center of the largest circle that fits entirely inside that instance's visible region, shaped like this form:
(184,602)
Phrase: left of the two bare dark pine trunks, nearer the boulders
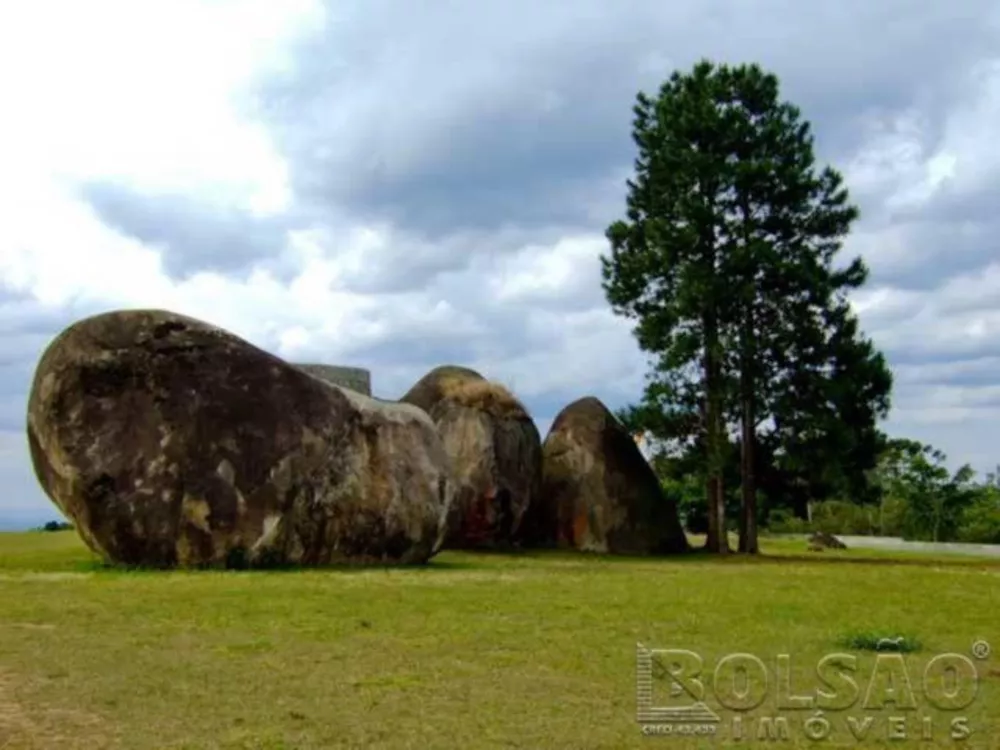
(717,540)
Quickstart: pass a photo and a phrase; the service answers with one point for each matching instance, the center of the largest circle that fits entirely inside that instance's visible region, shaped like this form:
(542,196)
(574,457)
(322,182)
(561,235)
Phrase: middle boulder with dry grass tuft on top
(495,452)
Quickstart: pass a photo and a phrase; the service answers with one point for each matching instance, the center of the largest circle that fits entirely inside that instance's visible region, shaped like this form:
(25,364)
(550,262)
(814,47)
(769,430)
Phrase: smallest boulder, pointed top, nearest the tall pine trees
(598,492)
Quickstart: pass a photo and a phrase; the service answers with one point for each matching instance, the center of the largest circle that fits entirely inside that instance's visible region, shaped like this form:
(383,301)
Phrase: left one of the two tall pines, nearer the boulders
(664,265)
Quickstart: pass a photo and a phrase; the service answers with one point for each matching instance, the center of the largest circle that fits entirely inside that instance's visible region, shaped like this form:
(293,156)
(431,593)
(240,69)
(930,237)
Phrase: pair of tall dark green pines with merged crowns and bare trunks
(725,262)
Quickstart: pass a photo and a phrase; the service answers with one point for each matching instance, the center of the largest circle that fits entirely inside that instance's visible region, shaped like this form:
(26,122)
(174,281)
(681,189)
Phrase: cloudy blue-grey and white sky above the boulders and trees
(397,185)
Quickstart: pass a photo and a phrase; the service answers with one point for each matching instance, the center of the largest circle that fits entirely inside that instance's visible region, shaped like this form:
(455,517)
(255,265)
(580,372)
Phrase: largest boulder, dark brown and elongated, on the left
(170,442)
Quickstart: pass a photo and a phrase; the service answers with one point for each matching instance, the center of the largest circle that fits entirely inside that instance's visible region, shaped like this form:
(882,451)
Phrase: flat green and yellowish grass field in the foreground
(472,651)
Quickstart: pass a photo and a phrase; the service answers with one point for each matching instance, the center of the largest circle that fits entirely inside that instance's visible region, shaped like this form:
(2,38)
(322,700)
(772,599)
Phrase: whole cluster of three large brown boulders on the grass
(169,442)
